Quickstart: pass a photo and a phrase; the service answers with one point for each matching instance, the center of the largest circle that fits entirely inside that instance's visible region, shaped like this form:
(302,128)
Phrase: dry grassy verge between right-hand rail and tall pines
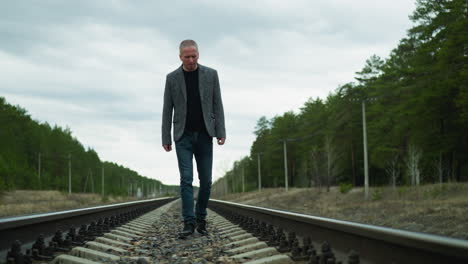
(434,209)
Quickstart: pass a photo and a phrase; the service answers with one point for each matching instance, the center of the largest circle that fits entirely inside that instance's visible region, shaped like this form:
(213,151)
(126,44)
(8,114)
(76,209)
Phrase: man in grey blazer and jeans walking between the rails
(193,94)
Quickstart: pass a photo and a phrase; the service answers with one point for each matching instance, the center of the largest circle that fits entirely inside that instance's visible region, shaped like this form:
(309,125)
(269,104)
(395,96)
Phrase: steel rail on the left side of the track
(27,228)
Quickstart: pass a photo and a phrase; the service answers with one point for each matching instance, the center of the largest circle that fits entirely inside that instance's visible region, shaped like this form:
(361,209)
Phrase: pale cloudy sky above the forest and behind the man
(99,67)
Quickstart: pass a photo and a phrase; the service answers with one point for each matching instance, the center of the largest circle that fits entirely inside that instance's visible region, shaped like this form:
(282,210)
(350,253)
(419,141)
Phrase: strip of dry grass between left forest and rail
(30,202)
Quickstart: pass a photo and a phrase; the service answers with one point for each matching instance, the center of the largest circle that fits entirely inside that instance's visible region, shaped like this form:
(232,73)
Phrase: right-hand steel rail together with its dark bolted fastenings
(334,240)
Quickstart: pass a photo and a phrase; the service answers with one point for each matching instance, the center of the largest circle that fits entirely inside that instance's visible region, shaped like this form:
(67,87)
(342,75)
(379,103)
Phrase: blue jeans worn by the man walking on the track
(200,145)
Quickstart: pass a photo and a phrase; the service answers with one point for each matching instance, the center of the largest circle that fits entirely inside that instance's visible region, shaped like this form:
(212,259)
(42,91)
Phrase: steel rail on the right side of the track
(375,244)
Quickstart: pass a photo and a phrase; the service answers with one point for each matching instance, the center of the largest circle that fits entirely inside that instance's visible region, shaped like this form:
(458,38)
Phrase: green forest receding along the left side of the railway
(36,156)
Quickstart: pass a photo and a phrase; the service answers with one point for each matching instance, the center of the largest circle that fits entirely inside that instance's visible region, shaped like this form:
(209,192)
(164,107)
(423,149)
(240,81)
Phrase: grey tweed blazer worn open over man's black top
(175,101)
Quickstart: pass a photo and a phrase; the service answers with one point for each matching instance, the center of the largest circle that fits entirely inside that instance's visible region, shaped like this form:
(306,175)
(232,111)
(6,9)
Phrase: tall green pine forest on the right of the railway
(416,112)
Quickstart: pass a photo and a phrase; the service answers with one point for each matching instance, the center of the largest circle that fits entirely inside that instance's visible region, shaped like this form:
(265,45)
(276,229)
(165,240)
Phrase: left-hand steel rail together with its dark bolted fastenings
(27,236)
